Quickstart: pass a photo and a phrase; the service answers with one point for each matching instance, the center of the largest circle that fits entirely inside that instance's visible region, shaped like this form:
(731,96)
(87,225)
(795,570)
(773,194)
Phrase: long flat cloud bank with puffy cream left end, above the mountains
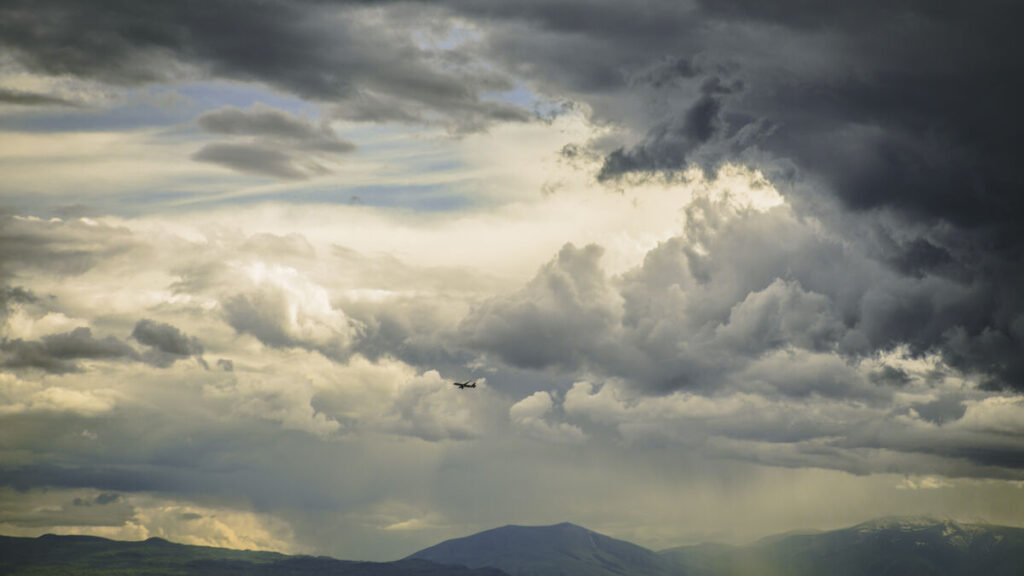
(815,431)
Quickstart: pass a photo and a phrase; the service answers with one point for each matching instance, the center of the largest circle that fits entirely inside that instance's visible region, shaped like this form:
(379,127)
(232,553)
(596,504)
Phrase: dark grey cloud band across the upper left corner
(337,53)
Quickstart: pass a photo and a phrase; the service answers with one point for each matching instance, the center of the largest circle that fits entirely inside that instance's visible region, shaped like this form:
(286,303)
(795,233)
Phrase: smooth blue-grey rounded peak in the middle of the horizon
(563,550)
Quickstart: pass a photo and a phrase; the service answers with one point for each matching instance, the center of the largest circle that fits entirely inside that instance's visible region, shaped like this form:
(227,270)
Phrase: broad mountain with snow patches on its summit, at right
(906,547)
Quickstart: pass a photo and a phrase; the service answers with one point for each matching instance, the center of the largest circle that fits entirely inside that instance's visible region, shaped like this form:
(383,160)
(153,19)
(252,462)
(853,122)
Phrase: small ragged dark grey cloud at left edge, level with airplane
(59,353)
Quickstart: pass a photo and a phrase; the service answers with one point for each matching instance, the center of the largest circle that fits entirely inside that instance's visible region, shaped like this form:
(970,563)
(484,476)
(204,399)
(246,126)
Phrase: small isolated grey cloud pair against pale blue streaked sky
(281,145)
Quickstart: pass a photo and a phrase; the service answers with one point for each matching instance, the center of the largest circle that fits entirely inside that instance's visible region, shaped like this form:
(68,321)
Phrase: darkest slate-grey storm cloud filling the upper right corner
(912,116)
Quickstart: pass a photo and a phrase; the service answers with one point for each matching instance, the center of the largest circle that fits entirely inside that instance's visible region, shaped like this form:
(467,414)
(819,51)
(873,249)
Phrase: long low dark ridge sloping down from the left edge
(88,556)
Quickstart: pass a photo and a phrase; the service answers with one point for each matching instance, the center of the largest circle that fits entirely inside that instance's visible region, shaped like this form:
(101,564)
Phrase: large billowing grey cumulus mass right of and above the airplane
(736,287)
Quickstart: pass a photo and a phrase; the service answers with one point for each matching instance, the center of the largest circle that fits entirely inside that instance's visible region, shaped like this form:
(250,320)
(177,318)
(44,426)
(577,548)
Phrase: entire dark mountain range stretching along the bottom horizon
(893,546)
